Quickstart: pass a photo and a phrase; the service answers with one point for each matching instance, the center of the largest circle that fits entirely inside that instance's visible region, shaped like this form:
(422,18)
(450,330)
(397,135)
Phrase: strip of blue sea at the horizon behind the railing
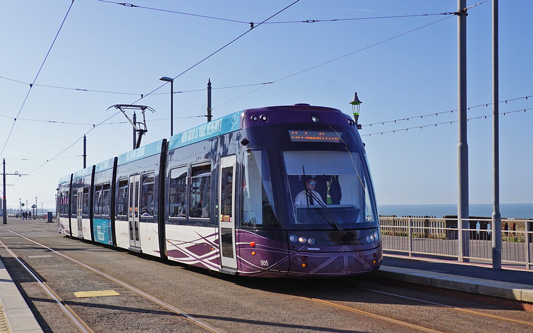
(523,211)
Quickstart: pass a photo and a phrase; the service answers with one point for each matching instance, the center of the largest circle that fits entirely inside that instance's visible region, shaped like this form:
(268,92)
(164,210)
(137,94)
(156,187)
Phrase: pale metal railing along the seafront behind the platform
(438,237)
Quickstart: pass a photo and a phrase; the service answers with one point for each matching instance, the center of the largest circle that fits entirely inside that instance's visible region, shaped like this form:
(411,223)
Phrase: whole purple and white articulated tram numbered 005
(281,191)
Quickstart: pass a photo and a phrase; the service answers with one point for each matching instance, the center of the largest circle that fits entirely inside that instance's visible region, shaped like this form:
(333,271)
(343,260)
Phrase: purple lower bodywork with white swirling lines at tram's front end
(259,256)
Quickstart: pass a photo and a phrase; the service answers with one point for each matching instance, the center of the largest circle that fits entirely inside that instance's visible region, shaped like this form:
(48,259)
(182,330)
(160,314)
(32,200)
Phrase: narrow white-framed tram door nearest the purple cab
(226,212)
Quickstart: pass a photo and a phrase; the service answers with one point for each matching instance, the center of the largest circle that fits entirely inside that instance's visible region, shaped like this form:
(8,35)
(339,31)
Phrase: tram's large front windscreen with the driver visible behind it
(329,189)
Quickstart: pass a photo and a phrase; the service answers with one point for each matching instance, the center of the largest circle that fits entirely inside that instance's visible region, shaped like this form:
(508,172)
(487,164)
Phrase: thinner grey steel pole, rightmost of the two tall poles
(496,216)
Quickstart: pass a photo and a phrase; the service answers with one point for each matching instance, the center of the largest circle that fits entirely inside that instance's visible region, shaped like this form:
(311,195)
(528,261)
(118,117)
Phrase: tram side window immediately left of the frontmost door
(200,191)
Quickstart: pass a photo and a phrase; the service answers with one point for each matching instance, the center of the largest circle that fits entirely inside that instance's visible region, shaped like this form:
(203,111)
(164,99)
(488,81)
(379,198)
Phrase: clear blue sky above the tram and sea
(402,63)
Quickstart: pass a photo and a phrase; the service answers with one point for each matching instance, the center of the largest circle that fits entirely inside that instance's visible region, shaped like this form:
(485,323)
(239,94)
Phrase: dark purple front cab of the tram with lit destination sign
(306,186)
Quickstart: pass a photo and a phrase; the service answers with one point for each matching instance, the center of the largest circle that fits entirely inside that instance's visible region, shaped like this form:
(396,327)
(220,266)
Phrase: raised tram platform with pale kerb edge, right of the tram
(508,283)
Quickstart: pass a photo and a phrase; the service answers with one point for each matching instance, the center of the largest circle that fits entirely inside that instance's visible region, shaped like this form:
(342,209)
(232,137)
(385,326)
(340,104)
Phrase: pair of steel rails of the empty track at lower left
(77,321)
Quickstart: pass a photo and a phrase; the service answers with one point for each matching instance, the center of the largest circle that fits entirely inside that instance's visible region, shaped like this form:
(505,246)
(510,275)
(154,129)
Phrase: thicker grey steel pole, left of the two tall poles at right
(462,146)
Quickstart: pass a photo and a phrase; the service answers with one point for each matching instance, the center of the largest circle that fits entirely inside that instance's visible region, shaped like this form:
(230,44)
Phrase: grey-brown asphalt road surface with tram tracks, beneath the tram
(227,303)
